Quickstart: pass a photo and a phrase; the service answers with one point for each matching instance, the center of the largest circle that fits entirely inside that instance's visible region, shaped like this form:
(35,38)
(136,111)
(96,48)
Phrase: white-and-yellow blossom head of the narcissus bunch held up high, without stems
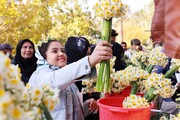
(109,8)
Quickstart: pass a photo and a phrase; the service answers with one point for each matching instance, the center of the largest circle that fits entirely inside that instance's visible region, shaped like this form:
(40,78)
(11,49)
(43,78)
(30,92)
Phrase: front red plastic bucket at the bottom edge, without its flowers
(111,109)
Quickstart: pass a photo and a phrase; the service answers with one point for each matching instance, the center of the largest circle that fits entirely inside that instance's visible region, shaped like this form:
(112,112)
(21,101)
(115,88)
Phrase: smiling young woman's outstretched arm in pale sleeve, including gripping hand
(65,76)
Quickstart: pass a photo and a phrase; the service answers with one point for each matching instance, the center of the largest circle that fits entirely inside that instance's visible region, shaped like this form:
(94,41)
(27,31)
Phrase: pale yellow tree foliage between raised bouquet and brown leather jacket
(138,25)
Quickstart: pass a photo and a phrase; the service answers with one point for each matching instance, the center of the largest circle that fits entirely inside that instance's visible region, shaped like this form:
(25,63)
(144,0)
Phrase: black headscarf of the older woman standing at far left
(27,66)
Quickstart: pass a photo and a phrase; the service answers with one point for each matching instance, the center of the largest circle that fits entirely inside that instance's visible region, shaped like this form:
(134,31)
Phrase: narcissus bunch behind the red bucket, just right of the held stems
(131,76)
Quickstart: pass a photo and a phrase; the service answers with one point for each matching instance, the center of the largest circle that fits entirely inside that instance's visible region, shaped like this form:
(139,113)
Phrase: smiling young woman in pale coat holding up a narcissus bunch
(61,76)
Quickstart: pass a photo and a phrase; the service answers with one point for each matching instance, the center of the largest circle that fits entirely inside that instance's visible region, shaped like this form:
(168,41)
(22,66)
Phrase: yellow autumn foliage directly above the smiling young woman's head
(72,20)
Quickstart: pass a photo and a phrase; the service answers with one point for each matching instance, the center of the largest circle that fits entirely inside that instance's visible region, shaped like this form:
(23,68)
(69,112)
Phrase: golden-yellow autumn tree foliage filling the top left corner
(20,20)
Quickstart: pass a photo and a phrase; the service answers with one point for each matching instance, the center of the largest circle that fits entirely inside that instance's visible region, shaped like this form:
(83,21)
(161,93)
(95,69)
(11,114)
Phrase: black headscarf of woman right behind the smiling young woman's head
(75,49)
